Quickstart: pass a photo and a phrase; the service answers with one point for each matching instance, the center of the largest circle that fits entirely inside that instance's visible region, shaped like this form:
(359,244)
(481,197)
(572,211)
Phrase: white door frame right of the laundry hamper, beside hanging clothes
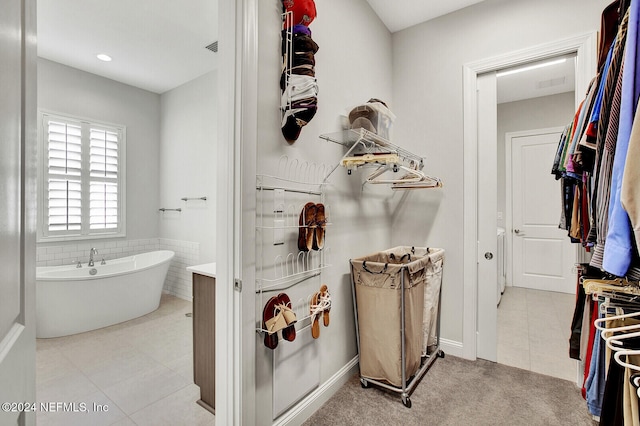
(584,47)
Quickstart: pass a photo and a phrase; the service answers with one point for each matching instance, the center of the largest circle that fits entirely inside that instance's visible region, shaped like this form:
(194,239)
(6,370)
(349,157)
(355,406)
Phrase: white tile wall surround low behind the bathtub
(178,281)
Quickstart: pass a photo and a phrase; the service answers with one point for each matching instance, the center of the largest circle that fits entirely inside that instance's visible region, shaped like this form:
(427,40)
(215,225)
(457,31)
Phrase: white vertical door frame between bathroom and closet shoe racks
(235,394)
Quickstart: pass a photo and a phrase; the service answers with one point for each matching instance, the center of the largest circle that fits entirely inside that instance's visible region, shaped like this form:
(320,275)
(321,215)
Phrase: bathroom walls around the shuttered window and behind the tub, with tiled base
(169,137)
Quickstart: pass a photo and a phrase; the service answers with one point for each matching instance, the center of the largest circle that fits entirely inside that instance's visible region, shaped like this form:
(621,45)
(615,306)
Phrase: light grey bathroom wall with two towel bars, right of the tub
(188,137)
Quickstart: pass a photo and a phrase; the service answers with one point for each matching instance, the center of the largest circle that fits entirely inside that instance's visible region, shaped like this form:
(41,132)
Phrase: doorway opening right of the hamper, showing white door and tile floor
(534,102)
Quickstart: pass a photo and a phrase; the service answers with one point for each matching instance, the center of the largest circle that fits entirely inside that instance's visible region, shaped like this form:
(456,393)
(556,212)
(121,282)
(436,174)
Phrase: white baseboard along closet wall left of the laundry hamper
(312,402)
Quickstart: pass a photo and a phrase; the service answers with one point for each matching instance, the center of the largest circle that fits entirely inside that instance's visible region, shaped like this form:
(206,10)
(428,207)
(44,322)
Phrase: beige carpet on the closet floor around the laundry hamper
(460,392)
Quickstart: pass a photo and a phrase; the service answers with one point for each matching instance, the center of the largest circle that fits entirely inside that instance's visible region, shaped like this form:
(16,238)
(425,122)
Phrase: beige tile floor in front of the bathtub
(140,370)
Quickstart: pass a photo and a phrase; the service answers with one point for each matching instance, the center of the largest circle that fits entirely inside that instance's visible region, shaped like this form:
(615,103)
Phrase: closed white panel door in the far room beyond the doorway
(543,256)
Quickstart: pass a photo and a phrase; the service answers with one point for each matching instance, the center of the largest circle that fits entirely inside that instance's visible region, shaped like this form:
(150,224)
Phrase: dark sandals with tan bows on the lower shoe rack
(277,315)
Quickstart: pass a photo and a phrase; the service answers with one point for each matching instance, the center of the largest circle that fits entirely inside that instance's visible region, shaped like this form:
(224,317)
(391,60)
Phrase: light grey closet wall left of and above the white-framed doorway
(428,100)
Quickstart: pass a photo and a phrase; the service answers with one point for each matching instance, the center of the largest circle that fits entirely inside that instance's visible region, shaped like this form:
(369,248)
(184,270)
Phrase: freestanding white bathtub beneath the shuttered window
(72,300)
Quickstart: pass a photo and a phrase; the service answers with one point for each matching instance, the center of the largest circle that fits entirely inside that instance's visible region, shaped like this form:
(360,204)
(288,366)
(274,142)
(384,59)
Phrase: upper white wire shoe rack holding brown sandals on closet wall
(281,266)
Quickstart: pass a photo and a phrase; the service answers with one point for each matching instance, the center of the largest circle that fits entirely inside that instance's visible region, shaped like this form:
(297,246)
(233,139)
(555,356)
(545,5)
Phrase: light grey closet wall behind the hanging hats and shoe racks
(353,65)
